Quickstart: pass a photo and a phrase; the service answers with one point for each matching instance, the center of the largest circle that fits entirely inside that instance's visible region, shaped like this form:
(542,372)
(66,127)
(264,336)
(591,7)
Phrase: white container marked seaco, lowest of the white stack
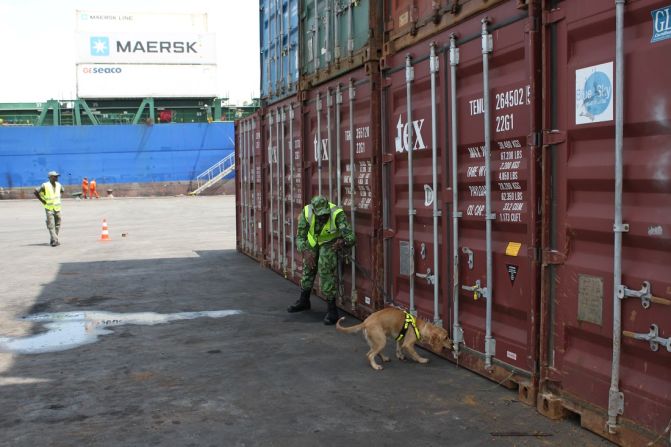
(144,81)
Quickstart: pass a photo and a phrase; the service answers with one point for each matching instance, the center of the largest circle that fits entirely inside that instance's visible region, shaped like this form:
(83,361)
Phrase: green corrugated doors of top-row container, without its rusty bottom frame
(340,30)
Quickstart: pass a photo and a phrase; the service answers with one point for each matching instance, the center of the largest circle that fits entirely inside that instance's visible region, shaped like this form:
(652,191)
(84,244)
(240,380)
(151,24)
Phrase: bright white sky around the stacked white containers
(37,46)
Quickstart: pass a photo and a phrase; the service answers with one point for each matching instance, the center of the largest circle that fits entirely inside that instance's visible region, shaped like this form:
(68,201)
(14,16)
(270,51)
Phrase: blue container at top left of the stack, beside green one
(279,48)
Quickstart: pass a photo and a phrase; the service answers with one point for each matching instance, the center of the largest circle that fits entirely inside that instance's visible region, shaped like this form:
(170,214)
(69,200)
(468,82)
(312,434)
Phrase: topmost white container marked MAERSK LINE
(94,21)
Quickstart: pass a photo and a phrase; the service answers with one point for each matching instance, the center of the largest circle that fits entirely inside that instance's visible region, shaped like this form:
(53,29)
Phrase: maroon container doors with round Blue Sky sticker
(580,287)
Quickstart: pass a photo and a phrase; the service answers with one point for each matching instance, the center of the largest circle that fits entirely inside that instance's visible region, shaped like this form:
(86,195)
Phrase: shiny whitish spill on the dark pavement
(68,330)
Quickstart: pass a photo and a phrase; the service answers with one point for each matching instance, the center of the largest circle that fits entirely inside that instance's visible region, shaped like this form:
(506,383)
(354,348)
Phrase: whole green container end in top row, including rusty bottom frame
(337,37)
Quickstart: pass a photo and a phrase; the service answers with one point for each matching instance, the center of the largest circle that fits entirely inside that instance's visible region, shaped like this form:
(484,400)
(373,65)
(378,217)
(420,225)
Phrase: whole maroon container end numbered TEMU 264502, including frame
(461,219)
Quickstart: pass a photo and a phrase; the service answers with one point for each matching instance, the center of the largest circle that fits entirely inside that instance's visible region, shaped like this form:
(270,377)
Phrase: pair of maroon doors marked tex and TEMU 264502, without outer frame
(513,178)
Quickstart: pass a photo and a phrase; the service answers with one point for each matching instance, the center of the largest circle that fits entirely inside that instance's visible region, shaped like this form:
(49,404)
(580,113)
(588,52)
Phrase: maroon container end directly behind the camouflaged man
(328,133)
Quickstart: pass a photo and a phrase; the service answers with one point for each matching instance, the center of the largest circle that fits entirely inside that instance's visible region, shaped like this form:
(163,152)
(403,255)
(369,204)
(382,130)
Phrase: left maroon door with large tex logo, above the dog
(407,260)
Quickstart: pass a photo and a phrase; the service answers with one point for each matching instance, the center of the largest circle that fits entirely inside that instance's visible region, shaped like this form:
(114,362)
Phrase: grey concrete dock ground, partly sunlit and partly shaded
(258,378)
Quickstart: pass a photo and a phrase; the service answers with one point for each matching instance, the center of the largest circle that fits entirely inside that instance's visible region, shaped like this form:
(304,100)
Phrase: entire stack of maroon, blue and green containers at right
(501,165)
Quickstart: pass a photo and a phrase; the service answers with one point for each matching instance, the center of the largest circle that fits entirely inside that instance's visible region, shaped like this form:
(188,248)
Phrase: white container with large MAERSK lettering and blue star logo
(145,48)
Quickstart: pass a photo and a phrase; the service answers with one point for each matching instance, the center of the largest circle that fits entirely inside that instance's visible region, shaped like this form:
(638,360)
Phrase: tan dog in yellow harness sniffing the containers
(404,328)
